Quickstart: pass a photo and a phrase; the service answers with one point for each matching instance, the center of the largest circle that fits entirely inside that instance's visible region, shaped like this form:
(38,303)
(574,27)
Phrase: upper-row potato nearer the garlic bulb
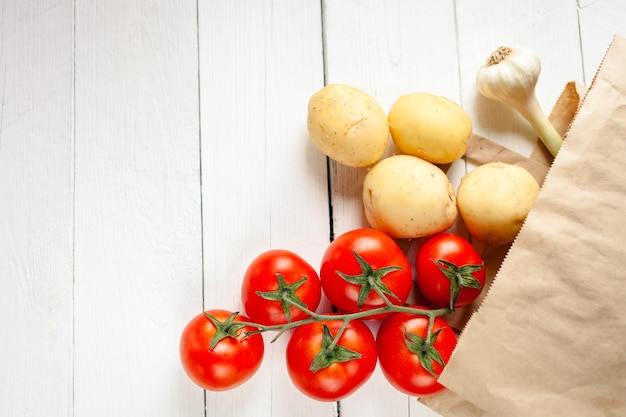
(430,127)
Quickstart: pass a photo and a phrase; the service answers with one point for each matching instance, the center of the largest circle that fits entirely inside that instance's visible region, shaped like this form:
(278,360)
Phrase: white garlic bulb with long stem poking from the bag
(510,76)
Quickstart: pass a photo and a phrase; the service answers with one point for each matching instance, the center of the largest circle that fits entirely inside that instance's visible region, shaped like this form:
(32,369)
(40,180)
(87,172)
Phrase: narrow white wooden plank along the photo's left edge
(36,180)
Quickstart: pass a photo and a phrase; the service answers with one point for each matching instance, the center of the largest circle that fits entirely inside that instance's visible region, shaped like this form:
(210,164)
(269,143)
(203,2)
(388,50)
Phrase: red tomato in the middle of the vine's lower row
(356,347)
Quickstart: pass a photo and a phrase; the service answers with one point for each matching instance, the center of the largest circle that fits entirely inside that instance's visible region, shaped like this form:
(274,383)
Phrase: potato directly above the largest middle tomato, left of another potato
(407,197)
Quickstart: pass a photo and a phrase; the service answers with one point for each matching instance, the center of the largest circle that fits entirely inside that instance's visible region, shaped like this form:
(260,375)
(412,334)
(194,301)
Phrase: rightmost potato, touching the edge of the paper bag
(494,200)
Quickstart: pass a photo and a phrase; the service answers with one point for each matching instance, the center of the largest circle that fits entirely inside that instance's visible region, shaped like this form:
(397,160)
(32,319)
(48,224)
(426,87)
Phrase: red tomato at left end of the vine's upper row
(273,275)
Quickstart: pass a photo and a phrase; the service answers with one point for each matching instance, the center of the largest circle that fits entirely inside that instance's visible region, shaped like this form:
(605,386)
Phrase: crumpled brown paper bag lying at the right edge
(549,338)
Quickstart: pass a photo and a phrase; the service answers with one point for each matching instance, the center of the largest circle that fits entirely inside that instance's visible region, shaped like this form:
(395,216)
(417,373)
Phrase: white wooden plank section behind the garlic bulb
(548,28)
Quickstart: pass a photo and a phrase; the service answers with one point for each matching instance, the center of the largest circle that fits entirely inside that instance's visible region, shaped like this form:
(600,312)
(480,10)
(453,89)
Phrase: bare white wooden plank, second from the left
(138,277)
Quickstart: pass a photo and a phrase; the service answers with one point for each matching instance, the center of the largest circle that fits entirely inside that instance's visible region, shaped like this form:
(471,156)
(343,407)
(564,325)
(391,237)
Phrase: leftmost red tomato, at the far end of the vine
(231,362)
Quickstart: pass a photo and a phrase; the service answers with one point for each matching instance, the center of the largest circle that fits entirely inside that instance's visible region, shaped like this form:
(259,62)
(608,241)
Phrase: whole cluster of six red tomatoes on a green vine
(366,276)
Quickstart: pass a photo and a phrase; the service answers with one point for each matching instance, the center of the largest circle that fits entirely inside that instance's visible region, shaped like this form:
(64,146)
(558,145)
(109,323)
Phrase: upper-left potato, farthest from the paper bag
(348,125)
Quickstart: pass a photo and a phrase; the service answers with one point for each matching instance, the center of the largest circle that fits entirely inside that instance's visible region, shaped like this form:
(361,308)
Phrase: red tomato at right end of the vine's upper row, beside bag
(447,266)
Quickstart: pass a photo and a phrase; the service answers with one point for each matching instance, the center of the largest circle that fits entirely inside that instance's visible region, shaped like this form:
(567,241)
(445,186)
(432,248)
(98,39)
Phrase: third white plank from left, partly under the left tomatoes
(264,184)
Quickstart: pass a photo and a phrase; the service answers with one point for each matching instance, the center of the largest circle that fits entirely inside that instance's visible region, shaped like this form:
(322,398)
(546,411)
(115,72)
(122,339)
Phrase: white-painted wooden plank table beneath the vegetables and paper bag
(150,149)
